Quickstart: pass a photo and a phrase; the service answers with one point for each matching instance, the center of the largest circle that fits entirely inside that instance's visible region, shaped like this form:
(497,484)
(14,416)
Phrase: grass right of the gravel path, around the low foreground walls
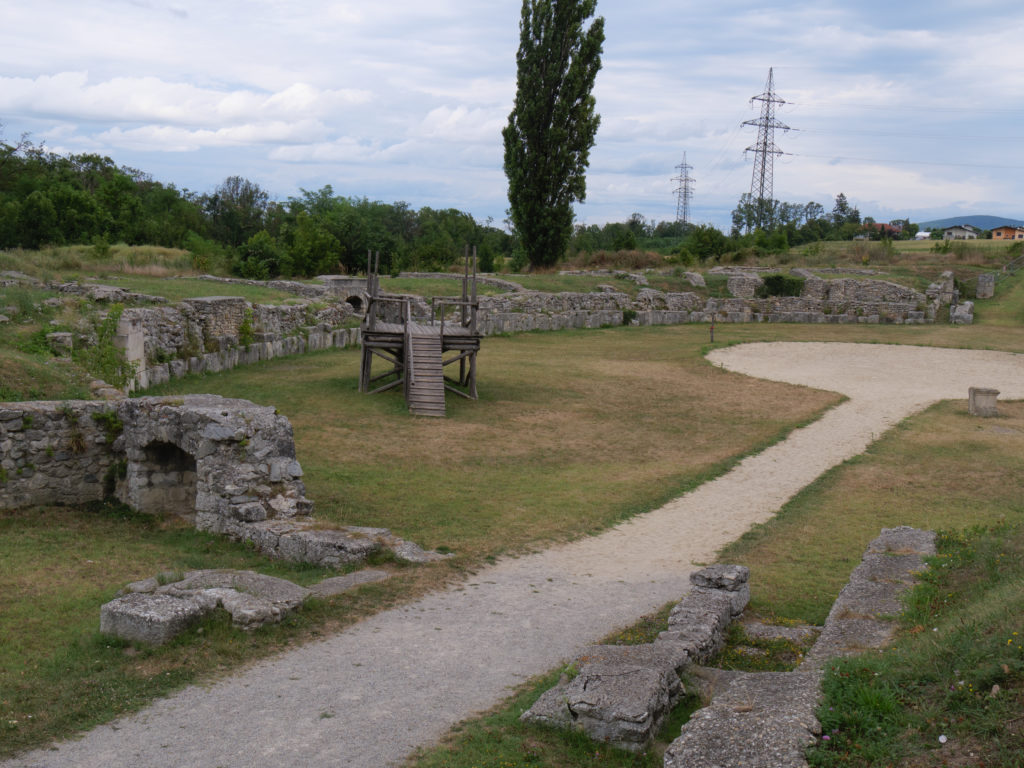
(940,471)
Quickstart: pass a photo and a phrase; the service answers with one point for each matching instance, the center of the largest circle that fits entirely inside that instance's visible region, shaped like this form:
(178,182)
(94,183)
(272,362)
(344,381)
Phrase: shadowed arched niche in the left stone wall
(162,479)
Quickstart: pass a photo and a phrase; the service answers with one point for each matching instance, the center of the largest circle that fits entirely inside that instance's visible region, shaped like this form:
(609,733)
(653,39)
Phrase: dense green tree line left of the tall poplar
(49,199)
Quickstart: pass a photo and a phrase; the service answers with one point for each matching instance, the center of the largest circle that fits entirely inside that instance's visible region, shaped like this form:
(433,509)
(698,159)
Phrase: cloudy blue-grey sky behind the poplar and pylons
(912,109)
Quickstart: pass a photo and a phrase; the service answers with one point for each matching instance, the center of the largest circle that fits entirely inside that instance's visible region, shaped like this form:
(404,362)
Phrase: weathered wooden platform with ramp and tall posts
(415,353)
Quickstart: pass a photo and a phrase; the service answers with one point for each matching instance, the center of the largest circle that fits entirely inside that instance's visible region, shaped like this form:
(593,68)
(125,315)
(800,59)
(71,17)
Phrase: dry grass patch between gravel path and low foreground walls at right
(941,470)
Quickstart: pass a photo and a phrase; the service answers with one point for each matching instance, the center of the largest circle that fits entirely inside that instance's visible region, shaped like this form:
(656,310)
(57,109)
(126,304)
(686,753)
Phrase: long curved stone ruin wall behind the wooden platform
(204,334)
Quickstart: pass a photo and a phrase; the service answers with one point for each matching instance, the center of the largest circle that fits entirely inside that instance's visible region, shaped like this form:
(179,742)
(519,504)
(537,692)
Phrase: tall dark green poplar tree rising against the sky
(553,124)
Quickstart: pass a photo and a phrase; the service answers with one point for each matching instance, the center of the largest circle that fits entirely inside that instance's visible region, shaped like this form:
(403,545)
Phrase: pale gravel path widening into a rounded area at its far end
(371,695)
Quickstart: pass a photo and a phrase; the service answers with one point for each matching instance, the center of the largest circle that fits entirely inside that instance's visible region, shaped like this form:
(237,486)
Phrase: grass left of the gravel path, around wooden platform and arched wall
(574,432)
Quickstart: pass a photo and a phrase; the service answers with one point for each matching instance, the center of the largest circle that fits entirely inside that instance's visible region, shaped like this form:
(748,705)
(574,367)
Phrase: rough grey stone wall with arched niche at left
(222,463)
